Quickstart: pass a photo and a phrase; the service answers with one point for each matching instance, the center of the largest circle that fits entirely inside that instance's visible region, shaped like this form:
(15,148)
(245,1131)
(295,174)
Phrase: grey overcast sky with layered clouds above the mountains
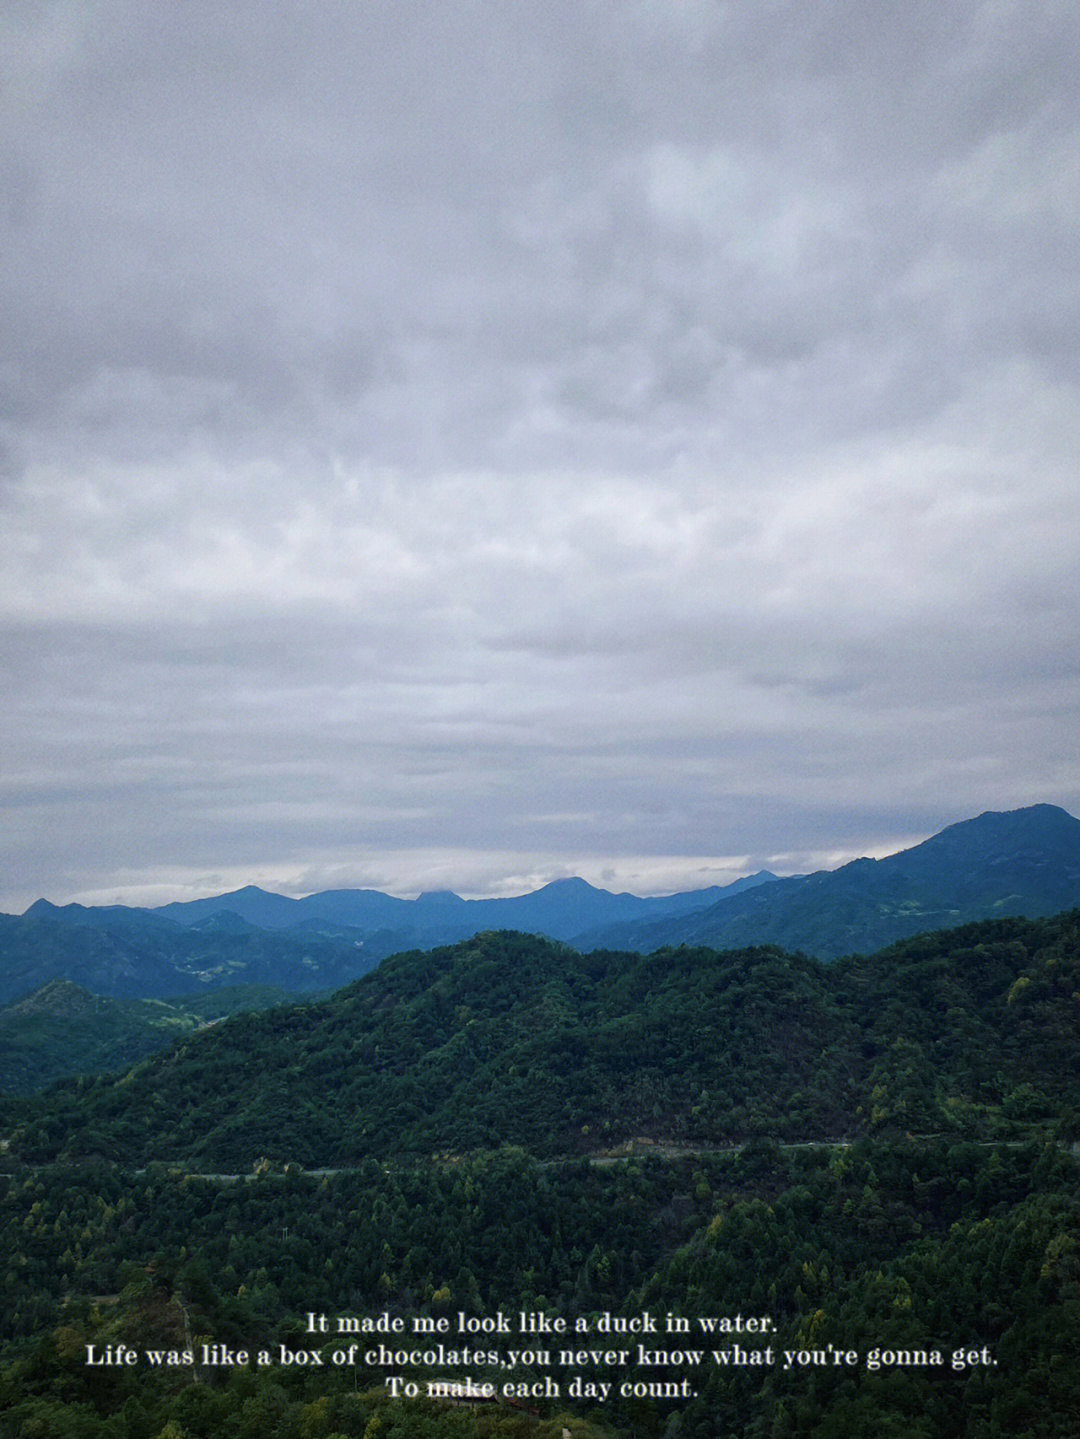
(465,444)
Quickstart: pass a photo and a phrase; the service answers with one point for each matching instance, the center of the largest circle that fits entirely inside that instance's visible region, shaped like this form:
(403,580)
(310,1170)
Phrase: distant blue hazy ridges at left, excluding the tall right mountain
(255,938)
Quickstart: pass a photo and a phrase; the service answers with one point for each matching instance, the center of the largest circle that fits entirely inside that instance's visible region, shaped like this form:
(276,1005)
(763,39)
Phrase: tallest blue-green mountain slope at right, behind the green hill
(1019,863)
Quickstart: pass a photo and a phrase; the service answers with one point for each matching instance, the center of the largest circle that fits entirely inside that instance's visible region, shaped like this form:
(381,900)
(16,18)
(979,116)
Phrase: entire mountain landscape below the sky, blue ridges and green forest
(874,1150)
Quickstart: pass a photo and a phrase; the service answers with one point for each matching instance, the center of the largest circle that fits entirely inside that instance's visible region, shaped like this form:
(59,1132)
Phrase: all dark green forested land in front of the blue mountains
(510,1126)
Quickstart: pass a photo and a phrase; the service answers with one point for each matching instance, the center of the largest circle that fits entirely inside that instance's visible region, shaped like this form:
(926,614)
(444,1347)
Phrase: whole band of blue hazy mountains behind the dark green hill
(1022,863)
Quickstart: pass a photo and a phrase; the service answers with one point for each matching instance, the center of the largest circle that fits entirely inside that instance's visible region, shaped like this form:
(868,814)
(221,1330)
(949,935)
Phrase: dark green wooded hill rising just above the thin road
(513,1040)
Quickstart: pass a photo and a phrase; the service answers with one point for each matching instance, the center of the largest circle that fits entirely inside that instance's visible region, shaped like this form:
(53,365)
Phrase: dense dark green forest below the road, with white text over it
(960,1248)
